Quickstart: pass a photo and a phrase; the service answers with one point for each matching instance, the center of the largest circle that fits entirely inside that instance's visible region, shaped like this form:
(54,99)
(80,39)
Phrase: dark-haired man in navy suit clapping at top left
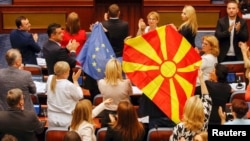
(26,42)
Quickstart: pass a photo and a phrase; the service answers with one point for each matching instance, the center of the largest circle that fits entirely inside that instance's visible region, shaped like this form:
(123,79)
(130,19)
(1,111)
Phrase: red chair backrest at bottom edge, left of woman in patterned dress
(159,134)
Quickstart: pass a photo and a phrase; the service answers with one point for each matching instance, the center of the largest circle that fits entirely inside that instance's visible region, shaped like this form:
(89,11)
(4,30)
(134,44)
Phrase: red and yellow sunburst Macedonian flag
(163,64)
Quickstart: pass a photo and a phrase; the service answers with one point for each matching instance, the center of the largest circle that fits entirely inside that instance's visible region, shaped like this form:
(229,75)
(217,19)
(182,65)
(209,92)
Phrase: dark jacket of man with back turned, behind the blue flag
(117,32)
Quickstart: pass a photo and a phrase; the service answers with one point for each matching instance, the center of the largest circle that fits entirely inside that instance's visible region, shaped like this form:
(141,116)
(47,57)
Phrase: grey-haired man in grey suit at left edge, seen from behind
(13,77)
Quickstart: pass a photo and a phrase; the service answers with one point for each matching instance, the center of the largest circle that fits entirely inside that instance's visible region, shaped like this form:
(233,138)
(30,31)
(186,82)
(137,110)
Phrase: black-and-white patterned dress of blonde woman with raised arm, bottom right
(181,131)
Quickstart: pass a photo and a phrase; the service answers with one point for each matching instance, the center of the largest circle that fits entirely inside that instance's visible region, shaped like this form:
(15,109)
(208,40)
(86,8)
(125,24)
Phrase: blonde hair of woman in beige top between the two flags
(113,71)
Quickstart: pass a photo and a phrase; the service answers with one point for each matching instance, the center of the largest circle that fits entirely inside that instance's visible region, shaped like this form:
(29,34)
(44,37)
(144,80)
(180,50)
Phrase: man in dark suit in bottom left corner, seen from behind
(16,121)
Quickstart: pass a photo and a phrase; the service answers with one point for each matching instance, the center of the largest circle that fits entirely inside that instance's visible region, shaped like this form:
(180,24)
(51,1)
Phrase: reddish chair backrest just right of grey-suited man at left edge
(36,72)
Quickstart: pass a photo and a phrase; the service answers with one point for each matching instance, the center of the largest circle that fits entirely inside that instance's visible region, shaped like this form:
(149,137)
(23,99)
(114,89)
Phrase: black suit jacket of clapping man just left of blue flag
(53,52)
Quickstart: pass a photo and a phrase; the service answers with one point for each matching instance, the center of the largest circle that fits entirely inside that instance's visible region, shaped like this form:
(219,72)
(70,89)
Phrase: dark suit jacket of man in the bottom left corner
(24,125)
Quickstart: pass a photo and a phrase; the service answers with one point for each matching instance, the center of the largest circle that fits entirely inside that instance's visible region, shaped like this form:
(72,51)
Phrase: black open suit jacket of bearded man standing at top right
(223,35)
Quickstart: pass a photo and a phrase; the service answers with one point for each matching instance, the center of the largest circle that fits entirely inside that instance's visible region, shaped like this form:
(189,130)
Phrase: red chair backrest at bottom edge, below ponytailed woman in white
(55,134)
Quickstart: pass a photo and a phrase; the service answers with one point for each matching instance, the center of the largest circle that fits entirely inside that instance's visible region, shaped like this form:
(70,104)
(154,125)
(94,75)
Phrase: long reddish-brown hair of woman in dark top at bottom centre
(127,124)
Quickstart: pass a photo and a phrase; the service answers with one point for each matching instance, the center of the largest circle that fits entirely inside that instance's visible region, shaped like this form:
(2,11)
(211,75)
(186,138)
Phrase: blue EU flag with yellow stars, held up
(95,53)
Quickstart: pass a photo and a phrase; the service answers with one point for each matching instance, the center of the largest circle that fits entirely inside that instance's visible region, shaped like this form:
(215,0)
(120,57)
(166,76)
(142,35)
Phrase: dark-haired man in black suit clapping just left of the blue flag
(53,52)
